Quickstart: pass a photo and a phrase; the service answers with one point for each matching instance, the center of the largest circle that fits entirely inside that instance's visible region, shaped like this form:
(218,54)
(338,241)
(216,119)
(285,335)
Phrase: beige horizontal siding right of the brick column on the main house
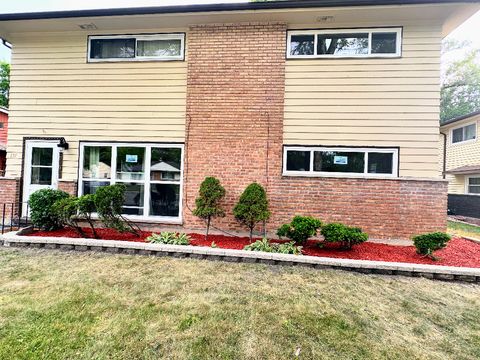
(371,102)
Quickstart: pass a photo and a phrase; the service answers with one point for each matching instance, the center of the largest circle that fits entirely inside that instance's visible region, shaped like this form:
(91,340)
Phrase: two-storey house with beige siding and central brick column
(332,105)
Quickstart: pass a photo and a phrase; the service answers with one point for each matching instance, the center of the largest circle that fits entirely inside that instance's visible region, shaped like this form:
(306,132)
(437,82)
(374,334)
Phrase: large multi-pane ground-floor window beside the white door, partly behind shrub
(152,173)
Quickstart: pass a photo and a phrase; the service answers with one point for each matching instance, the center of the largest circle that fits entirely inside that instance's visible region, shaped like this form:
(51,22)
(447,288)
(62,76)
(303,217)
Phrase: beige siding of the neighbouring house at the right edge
(461,154)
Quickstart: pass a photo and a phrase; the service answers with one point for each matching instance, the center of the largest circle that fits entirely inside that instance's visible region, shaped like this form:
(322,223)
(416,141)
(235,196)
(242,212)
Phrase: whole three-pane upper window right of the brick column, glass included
(344,43)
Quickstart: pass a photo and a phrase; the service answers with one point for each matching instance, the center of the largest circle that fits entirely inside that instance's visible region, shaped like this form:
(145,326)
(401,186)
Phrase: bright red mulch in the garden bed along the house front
(459,252)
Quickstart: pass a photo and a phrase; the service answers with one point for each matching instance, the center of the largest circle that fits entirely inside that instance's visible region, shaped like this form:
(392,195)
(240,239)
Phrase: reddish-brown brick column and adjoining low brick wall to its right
(235,104)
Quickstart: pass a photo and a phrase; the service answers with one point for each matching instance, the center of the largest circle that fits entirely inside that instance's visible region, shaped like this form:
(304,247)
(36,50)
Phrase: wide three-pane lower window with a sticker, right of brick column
(306,160)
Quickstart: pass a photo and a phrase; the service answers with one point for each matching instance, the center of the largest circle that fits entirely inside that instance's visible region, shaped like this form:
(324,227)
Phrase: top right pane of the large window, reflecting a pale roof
(166,164)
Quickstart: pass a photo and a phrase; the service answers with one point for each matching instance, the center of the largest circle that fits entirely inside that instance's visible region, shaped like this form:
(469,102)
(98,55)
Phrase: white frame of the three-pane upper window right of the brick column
(370,31)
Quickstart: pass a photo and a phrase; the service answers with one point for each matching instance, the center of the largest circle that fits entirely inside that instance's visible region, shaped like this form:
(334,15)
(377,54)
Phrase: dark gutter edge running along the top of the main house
(267,5)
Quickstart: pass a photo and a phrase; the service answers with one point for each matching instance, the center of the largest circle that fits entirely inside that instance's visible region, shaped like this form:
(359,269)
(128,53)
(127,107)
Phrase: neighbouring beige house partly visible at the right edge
(460,160)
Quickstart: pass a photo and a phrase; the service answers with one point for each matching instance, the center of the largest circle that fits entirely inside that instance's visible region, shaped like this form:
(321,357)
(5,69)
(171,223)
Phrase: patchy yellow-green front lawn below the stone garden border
(56,305)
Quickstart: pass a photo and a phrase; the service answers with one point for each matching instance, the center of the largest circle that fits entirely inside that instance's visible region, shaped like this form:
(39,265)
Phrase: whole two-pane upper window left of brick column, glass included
(136,47)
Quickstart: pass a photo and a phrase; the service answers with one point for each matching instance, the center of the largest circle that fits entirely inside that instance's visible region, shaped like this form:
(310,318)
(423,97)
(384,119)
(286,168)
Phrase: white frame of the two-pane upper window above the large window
(170,36)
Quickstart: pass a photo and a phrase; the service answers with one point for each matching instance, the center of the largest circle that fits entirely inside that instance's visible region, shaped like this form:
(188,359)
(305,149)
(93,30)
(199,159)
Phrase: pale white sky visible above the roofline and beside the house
(467,31)
